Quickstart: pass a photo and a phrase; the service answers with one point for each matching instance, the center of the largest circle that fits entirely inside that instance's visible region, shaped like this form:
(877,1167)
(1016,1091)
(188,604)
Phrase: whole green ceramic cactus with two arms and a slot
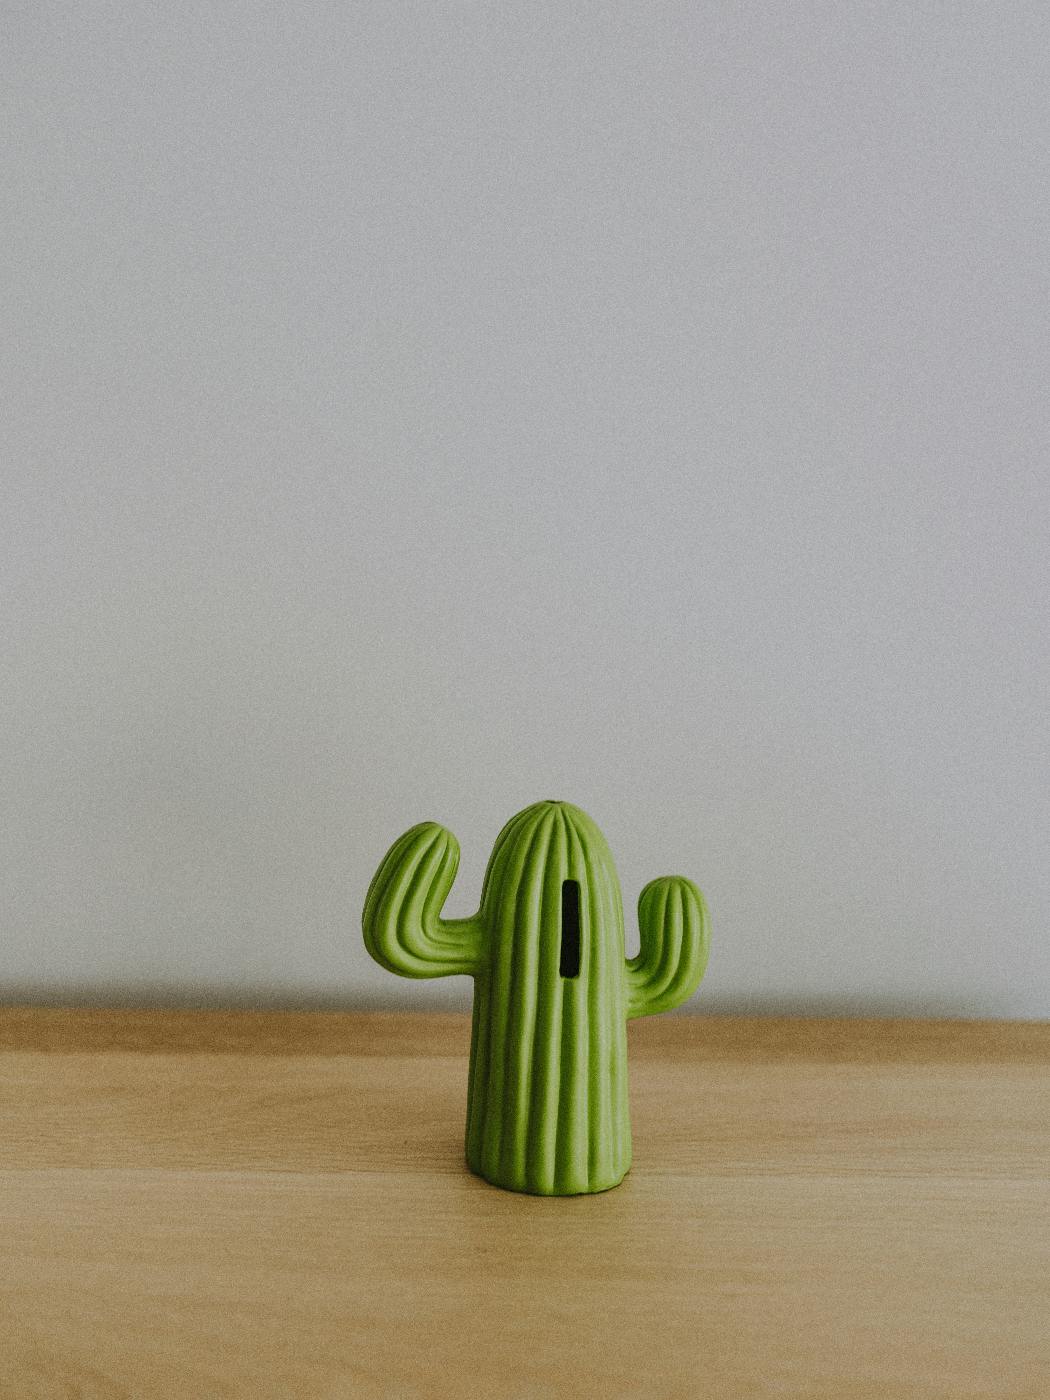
(548,1087)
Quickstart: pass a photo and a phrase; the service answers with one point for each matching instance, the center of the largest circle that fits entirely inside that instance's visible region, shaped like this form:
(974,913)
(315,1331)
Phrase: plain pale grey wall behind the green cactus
(414,411)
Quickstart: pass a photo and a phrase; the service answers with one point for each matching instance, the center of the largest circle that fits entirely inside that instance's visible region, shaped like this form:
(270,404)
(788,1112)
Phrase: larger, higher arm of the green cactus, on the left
(402,926)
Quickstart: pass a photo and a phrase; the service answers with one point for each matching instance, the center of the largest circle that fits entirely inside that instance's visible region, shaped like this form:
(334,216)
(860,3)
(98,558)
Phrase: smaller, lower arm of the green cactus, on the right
(673,919)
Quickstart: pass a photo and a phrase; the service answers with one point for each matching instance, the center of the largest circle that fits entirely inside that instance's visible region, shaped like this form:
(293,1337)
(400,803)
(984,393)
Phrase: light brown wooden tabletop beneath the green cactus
(269,1205)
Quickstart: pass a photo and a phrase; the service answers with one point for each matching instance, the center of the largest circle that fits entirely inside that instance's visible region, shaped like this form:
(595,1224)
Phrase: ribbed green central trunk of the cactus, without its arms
(548,1088)
